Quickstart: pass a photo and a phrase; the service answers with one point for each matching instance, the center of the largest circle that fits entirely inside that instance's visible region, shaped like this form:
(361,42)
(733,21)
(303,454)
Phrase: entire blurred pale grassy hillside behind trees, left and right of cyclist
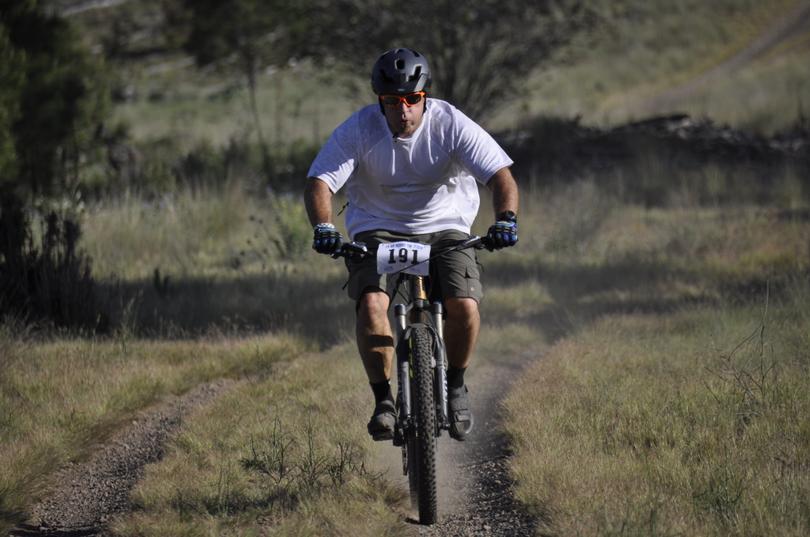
(737,61)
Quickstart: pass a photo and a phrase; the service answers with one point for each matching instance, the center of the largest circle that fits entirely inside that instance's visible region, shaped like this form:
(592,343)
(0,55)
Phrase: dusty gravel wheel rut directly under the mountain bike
(475,491)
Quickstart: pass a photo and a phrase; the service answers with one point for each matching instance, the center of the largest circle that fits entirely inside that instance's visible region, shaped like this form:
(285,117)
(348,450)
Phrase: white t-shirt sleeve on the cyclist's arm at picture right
(476,149)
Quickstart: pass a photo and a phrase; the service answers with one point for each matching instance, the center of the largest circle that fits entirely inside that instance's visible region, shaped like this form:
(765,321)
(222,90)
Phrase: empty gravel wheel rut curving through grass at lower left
(88,493)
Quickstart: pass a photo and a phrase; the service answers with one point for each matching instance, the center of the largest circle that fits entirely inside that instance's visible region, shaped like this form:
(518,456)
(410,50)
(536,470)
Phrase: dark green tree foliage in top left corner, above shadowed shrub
(60,104)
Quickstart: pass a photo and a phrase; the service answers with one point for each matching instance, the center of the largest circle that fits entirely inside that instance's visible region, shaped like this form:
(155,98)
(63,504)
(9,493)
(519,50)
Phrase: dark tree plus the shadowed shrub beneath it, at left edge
(52,101)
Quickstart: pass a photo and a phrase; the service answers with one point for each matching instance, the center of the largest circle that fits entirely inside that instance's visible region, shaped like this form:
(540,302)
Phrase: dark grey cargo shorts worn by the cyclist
(453,275)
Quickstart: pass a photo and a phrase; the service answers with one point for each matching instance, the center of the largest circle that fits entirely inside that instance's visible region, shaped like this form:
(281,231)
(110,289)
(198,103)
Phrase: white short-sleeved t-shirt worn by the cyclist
(420,184)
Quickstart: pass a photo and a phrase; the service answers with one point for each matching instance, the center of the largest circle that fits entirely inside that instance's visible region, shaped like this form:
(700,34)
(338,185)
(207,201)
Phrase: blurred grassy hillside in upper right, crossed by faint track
(738,62)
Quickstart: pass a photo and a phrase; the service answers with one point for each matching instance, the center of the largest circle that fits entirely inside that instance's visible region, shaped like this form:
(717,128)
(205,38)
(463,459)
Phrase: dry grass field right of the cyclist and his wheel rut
(672,402)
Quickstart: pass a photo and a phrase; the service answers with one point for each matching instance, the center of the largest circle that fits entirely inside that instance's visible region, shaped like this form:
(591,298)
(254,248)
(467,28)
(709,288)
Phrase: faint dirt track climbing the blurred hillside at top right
(794,23)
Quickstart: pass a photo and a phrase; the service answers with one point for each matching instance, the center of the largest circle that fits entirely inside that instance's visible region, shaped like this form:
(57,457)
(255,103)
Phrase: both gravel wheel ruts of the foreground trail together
(475,492)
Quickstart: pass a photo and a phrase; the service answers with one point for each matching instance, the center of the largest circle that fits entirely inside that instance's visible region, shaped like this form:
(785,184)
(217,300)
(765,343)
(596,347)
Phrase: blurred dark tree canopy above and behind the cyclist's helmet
(482,53)
